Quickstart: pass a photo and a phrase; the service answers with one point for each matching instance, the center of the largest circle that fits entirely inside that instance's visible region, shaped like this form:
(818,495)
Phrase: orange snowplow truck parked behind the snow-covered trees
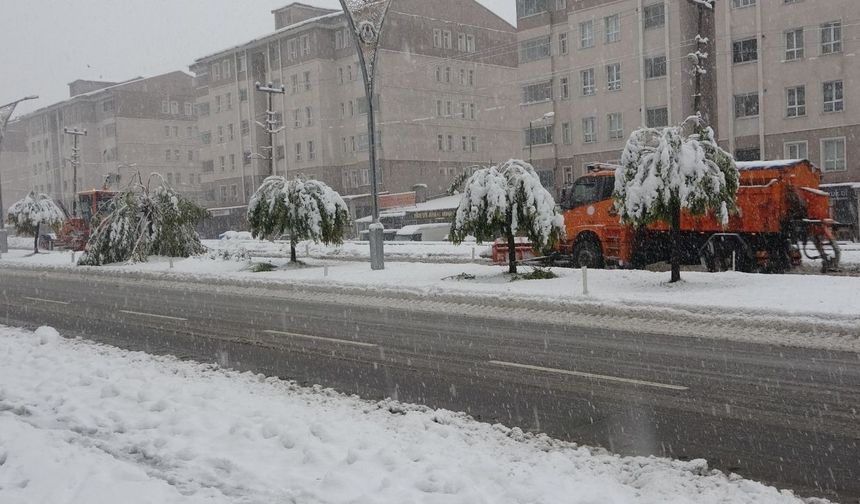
(781,214)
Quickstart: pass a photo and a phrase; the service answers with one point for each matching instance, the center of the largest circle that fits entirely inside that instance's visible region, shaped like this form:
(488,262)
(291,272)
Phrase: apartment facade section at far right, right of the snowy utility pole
(789,78)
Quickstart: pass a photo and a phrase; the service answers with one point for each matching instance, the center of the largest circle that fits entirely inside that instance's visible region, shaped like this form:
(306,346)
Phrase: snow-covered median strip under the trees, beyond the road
(826,297)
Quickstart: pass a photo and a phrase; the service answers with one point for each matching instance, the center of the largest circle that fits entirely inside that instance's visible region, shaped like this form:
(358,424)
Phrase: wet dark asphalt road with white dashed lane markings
(634,384)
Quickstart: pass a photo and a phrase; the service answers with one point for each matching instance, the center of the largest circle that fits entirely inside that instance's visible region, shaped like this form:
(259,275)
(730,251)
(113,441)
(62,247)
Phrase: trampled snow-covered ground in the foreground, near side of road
(85,423)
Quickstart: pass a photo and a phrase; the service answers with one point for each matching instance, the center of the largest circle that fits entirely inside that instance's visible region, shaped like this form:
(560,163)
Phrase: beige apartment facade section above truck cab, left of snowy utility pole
(592,71)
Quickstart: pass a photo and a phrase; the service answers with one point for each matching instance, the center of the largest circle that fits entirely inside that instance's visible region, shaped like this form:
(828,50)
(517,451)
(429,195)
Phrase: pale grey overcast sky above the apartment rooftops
(48,43)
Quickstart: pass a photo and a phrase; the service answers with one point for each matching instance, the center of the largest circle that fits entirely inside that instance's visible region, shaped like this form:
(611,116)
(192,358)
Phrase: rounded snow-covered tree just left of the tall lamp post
(304,209)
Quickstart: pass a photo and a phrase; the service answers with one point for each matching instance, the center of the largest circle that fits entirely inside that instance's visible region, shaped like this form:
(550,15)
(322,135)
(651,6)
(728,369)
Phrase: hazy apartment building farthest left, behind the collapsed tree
(143,125)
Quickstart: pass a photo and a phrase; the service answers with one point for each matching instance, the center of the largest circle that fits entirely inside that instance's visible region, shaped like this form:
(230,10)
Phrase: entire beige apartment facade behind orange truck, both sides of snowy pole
(779,80)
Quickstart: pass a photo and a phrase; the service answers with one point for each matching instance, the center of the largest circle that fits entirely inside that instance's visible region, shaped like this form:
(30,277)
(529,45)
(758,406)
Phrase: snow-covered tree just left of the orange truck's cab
(507,200)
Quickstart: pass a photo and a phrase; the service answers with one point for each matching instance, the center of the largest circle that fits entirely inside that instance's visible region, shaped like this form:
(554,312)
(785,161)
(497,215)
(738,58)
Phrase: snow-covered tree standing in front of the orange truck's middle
(666,170)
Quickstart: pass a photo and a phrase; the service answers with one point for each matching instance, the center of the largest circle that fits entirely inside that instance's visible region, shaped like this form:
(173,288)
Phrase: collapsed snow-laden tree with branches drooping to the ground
(140,222)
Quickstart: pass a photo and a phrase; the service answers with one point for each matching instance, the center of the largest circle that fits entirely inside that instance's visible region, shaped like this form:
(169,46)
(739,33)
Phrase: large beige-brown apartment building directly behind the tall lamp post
(443,103)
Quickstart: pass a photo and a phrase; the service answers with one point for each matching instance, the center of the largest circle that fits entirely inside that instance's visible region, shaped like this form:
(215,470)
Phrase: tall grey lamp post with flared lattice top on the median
(365,18)
